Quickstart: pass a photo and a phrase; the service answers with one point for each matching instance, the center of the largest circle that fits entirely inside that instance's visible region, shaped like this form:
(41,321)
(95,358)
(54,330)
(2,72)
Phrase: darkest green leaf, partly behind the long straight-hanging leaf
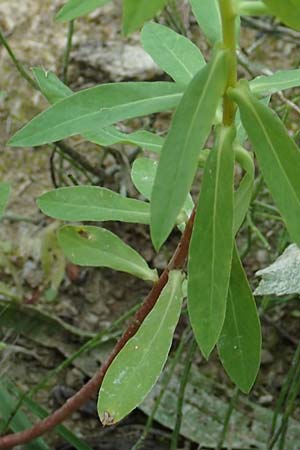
(239,345)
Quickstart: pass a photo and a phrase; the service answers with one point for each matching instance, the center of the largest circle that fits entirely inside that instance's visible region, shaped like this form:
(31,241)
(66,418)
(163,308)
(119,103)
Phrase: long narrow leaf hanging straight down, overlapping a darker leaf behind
(211,245)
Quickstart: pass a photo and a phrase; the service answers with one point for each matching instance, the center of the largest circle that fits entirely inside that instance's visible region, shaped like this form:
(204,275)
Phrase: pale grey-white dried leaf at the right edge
(283,276)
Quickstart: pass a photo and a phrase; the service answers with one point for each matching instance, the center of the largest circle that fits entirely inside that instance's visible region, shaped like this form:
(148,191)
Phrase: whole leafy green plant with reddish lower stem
(208,99)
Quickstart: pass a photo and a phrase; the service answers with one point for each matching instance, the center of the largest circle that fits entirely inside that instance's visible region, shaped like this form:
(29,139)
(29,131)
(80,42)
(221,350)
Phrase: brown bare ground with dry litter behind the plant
(89,301)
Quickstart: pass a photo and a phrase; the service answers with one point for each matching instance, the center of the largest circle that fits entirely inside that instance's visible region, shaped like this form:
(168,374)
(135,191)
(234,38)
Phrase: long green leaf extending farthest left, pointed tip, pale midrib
(97,107)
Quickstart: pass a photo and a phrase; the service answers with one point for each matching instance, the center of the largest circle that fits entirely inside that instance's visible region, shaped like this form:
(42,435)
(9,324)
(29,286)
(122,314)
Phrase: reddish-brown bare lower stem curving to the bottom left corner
(91,388)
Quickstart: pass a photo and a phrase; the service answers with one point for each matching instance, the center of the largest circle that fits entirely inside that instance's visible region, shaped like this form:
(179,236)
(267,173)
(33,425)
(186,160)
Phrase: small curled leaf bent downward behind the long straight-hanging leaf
(243,195)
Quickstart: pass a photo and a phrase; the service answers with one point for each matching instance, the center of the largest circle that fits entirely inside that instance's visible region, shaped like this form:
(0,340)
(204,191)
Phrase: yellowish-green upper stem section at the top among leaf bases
(228,14)
